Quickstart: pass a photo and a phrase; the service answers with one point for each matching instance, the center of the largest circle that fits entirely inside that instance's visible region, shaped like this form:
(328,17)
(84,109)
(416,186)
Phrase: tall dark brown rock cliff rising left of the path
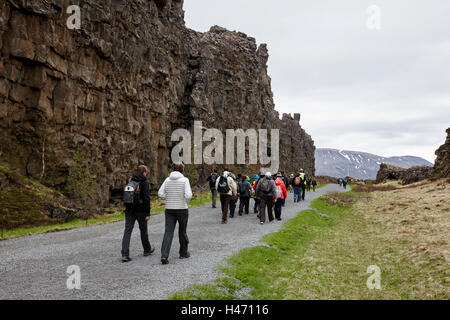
(117,88)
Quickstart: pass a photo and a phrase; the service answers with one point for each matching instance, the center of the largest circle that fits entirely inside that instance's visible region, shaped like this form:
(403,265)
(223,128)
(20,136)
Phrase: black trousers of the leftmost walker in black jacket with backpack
(130,219)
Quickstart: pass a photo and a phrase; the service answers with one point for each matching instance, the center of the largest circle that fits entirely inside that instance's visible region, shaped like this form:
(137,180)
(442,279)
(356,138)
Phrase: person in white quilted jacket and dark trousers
(176,190)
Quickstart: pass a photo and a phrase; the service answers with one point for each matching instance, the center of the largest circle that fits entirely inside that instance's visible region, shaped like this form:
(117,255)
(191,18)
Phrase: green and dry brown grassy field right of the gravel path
(313,257)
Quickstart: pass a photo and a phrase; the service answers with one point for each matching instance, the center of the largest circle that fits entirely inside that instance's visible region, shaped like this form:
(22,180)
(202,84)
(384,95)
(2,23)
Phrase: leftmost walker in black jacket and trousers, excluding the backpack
(139,212)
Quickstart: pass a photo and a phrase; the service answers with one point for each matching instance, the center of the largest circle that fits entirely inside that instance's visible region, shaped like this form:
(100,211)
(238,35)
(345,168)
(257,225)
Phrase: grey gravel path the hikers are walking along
(34,267)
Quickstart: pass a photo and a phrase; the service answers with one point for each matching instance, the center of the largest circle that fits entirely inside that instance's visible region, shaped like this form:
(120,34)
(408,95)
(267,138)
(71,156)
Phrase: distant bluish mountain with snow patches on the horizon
(360,165)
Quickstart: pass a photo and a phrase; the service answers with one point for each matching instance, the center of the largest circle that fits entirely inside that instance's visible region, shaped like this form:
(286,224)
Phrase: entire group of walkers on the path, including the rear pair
(268,191)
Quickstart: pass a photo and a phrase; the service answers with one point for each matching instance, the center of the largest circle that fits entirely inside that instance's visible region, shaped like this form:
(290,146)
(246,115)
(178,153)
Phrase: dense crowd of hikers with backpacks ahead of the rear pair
(268,191)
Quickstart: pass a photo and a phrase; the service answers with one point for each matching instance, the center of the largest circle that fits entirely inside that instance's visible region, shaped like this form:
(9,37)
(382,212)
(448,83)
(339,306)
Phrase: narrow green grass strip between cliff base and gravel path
(200,198)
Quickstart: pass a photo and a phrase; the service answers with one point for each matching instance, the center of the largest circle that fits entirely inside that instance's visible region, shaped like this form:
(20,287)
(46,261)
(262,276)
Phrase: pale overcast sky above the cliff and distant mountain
(381,91)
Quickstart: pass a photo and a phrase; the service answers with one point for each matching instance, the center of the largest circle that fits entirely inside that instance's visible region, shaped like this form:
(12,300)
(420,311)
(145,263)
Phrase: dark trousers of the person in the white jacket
(172,217)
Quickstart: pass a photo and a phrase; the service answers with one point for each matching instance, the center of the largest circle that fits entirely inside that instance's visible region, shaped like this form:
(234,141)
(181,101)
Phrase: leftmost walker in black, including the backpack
(136,198)
